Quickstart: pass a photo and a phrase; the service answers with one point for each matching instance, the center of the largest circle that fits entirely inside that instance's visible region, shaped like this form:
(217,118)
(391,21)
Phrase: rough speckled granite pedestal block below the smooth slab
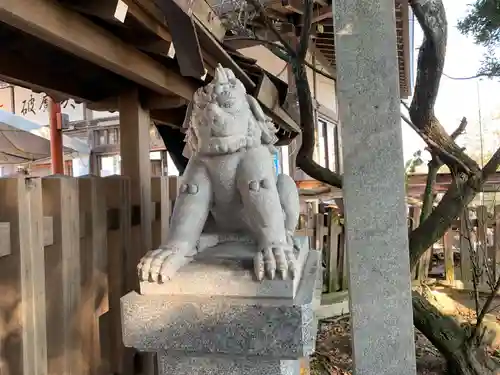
(202,334)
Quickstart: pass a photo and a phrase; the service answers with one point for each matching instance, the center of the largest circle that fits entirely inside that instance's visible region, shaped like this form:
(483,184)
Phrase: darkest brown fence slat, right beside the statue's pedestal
(122,271)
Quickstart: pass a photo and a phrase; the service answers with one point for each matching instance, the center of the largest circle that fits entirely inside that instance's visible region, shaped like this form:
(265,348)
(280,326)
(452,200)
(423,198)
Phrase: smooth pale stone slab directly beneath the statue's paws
(227,270)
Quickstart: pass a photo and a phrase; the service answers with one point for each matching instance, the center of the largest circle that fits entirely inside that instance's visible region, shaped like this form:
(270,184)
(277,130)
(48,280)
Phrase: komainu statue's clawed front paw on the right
(275,259)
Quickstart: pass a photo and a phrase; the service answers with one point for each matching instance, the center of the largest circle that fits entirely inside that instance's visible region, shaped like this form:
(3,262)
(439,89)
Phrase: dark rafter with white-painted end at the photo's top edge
(110,10)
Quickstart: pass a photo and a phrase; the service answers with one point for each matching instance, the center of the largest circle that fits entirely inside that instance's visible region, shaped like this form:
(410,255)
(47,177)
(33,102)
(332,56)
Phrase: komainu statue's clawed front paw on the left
(161,265)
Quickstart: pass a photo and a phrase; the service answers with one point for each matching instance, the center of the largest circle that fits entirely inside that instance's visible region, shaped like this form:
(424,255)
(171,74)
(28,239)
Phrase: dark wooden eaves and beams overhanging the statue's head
(83,50)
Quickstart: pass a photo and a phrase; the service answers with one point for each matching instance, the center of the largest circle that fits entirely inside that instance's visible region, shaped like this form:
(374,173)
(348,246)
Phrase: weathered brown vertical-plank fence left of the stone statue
(67,255)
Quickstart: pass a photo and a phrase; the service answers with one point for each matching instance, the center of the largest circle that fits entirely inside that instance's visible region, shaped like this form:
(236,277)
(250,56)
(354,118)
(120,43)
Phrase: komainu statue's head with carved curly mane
(222,118)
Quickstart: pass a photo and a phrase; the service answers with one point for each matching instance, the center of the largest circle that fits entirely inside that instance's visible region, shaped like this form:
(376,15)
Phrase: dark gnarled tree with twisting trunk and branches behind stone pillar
(463,354)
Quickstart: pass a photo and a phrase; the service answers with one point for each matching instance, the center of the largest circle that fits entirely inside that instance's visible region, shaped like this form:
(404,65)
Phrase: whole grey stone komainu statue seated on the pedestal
(229,185)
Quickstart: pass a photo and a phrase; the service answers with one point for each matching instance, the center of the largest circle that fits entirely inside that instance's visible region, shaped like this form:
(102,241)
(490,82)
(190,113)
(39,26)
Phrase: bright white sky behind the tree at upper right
(458,98)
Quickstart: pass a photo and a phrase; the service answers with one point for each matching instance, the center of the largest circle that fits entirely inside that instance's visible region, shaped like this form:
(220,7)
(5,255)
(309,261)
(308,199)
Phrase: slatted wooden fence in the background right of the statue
(471,245)
